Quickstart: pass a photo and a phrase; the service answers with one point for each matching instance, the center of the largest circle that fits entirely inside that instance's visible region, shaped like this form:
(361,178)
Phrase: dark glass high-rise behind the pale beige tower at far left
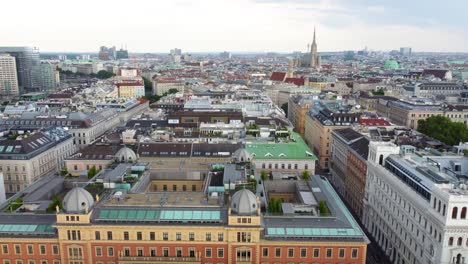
(27,66)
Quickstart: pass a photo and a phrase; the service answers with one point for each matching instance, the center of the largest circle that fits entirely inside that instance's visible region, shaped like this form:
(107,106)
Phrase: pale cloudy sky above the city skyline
(235,25)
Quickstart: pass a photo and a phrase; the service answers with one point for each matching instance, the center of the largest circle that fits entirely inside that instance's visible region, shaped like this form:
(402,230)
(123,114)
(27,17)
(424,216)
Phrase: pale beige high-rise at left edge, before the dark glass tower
(8,76)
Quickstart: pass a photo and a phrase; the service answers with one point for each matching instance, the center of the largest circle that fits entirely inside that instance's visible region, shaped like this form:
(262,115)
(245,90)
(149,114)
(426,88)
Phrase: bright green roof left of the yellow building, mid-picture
(296,149)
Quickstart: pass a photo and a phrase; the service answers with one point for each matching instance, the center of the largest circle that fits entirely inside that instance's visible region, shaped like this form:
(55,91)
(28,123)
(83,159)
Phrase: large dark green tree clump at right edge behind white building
(443,129)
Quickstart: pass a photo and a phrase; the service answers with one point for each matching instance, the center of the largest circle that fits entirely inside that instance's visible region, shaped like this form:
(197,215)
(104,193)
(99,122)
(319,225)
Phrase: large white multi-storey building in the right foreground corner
(415,204)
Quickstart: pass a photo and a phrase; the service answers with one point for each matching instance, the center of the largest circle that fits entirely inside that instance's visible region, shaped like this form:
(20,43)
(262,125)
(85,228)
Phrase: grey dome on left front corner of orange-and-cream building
(77,200)
